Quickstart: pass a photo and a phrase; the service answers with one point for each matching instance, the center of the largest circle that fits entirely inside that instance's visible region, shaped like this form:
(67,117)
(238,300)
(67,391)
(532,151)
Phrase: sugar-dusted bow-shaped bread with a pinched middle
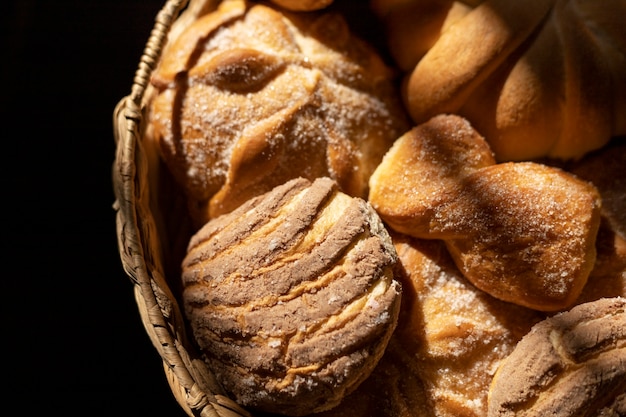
(523,232)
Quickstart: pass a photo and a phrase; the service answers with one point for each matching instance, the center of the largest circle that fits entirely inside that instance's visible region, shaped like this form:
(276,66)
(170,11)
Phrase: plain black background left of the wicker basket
(72,339)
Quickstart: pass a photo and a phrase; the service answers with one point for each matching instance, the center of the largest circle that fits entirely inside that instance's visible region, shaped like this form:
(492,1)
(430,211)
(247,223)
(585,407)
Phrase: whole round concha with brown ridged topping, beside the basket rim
(292,296)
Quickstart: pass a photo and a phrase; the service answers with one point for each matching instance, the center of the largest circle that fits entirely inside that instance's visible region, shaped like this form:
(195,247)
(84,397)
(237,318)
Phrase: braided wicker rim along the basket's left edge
(185,374)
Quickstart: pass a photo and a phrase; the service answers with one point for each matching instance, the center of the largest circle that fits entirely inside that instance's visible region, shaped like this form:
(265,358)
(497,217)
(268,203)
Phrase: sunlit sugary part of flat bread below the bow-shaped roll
(456,333)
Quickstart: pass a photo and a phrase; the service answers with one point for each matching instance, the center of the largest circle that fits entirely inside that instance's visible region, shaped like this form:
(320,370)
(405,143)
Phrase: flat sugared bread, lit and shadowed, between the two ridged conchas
(450,339)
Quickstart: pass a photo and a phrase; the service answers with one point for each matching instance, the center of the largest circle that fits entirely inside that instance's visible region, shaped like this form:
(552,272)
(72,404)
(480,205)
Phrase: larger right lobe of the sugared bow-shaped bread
(533,242)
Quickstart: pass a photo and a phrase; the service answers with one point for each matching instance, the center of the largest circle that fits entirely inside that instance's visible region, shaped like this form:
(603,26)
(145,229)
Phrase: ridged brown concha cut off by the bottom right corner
(571,364)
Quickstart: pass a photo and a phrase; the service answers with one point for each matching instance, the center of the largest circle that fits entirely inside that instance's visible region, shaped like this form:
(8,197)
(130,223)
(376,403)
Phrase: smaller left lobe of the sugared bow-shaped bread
(419,172)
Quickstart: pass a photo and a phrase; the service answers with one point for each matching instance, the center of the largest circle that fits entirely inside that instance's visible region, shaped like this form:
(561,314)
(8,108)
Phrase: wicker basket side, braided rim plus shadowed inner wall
(143,238)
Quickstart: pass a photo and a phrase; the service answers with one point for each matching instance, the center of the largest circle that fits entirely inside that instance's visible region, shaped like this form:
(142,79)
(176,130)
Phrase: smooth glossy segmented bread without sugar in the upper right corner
(537,78)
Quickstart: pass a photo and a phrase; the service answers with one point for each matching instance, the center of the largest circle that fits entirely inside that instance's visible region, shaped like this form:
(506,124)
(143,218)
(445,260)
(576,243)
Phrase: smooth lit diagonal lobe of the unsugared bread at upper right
(467,52)
